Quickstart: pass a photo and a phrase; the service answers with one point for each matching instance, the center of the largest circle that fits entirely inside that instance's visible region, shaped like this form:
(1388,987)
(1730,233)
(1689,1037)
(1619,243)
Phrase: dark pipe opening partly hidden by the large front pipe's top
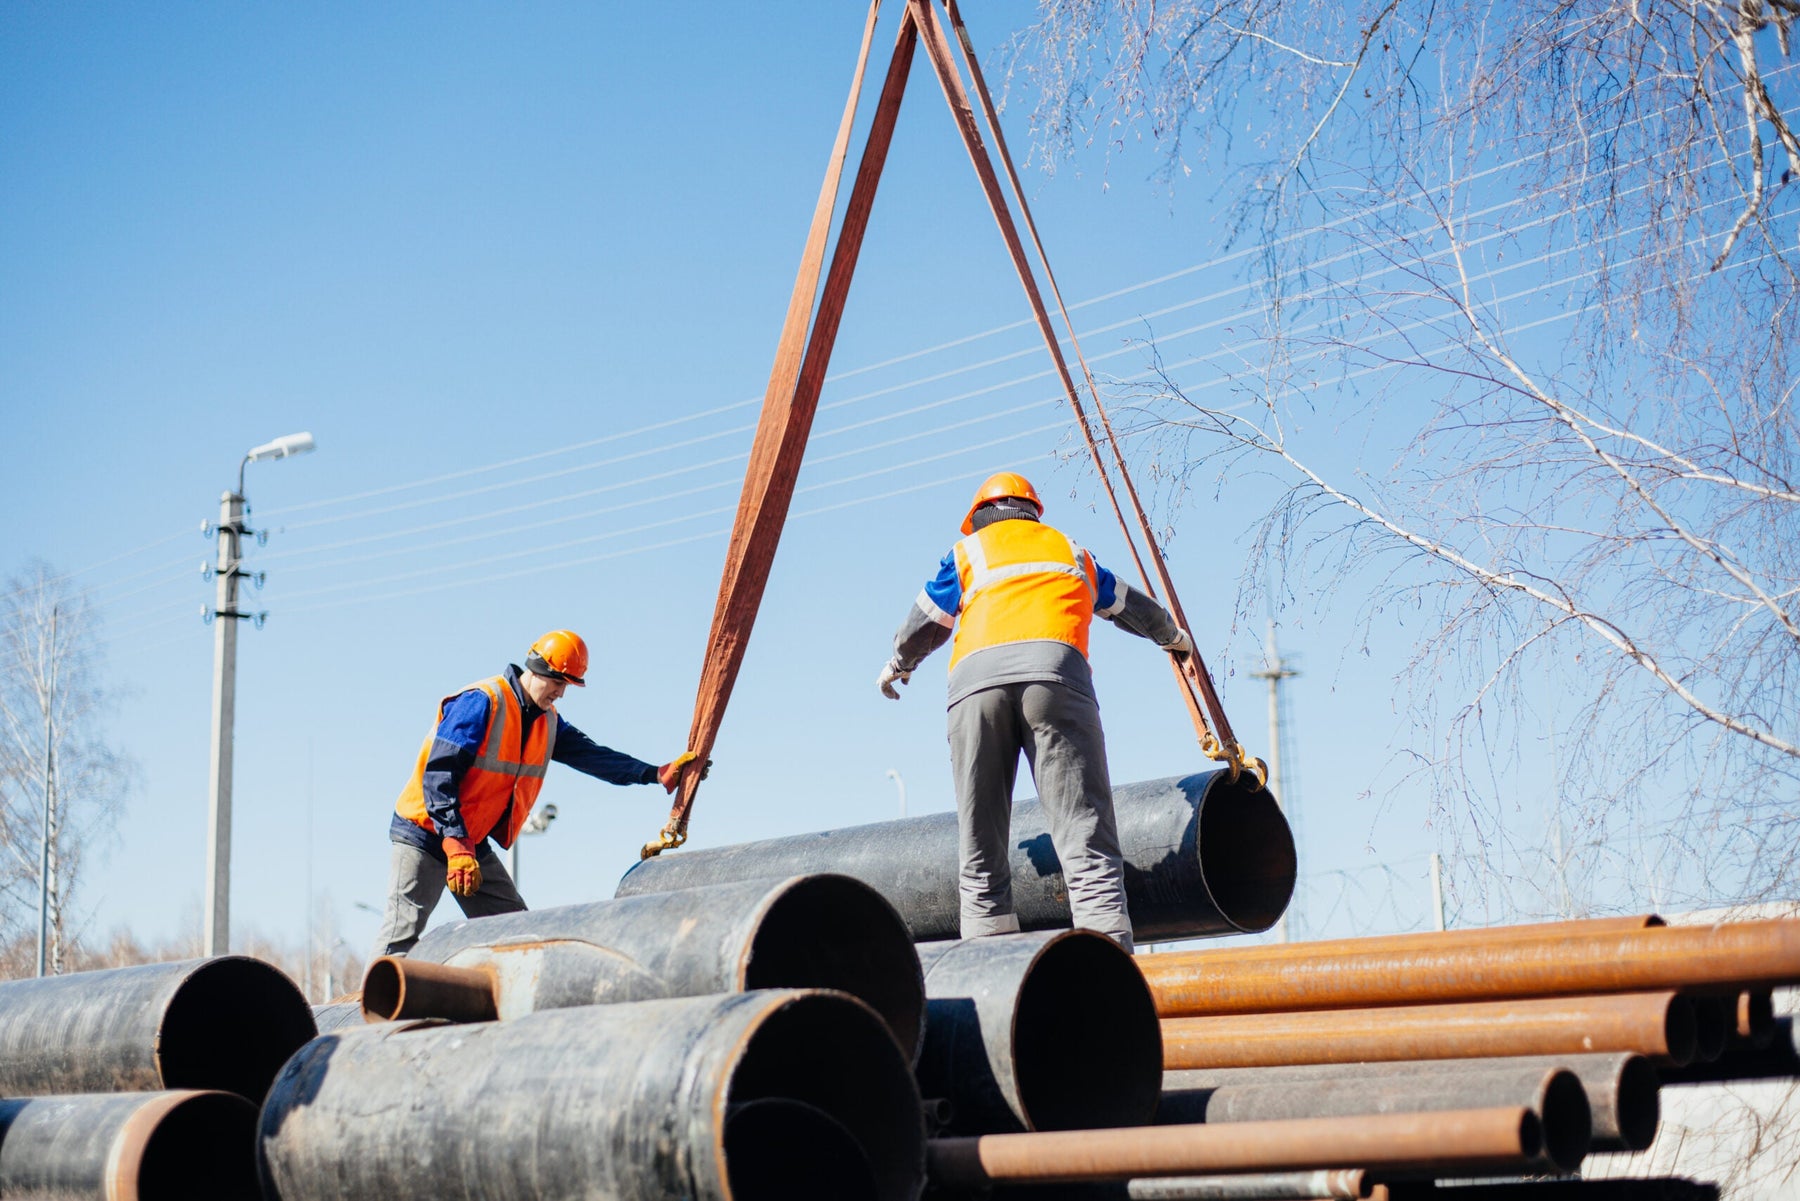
(834,932)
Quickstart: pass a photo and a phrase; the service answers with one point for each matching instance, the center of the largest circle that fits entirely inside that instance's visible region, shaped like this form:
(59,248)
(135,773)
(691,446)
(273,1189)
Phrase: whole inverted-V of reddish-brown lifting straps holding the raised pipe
(804,356)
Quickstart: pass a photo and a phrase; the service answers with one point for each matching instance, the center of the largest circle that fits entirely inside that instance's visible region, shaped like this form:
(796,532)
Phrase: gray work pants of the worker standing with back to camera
(1059,732)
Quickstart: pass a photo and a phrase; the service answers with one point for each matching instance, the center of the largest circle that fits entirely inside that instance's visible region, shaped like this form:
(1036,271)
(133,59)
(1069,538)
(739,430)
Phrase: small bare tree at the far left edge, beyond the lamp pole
(53,752)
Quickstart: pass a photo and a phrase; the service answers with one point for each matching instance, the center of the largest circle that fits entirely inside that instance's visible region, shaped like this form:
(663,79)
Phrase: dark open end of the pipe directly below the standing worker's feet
(1088,1047)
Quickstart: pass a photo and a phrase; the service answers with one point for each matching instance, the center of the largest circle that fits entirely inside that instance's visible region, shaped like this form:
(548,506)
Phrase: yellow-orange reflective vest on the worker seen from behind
(1023,582)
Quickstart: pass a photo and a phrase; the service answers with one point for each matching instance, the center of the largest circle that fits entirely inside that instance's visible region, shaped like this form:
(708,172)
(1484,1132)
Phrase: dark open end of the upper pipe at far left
(231,1025)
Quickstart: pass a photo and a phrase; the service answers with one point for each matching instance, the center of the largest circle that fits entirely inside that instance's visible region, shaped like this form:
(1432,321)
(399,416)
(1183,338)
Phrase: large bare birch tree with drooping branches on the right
(1518,374)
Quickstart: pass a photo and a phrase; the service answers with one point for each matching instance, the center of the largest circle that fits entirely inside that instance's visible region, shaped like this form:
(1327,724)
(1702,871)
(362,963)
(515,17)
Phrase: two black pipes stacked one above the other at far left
(141,1083)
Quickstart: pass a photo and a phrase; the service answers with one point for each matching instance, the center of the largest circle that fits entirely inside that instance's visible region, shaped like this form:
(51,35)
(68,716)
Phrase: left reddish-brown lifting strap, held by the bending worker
(789,408)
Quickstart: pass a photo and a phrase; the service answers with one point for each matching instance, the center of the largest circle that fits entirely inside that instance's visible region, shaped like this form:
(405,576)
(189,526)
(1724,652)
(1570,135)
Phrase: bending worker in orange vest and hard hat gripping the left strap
(478,777)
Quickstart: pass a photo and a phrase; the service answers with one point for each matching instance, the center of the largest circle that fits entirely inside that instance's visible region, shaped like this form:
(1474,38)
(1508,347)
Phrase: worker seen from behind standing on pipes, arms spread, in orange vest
(1018,599)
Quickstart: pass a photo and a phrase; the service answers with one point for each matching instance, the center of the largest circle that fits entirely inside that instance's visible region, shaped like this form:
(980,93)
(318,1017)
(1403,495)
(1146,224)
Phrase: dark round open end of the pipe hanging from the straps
(1246,853)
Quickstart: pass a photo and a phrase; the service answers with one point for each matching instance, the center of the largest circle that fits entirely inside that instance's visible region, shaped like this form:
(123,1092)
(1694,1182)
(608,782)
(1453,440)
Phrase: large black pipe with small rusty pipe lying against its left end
(805,932)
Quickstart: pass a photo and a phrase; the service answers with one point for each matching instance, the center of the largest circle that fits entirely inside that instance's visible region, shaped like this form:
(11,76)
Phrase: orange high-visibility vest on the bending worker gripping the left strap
(505,773)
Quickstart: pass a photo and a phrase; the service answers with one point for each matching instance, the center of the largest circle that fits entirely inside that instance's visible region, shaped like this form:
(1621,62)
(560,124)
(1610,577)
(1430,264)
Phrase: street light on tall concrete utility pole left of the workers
(226,619)
